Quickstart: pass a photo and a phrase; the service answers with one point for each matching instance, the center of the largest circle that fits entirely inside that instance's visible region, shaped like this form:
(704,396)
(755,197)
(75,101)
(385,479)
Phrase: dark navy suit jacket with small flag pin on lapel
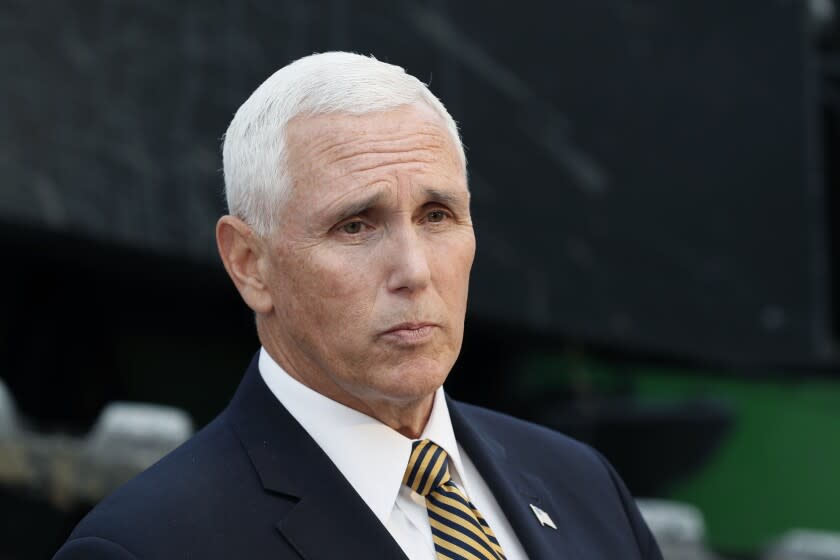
(253,484)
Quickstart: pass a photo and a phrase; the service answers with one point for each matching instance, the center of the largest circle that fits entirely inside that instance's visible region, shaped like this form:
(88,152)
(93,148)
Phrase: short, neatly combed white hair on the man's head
(257,177)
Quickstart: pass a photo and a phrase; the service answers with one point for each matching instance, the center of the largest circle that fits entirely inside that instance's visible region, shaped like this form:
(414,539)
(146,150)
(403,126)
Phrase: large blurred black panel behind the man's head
(644,172)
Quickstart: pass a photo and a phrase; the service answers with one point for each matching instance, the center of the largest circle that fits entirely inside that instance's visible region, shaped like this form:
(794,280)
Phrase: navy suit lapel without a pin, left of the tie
(330,520)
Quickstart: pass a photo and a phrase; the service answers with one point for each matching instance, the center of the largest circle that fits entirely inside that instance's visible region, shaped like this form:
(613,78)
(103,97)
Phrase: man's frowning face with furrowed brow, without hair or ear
(369,268)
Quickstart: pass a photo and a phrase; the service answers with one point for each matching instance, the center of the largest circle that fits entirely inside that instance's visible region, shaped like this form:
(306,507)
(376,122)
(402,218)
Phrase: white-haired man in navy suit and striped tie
(350,238)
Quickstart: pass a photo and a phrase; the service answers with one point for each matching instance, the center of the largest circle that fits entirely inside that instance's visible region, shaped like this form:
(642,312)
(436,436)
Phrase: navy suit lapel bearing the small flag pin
(515,488)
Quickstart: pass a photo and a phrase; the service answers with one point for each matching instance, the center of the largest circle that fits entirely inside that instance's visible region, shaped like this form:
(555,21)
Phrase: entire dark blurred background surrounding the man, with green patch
(657,204)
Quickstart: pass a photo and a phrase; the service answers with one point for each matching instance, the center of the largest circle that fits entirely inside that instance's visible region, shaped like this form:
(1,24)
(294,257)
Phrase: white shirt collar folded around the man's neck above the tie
(346,434)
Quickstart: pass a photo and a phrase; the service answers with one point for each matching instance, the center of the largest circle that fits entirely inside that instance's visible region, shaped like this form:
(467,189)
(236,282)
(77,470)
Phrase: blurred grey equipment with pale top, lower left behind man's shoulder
(48,481)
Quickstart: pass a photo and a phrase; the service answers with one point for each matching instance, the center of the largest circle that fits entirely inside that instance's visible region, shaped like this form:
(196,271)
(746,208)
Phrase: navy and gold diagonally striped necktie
(458,529)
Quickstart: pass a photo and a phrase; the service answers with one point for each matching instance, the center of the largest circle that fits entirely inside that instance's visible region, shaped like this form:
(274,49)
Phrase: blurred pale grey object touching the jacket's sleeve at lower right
(679,529)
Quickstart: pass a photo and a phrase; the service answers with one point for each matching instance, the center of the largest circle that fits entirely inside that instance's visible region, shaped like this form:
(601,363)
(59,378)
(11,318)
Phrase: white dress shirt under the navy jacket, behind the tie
(345,435)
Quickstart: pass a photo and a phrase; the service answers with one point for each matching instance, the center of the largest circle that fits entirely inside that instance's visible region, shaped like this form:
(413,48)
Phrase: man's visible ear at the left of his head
(241,251)
